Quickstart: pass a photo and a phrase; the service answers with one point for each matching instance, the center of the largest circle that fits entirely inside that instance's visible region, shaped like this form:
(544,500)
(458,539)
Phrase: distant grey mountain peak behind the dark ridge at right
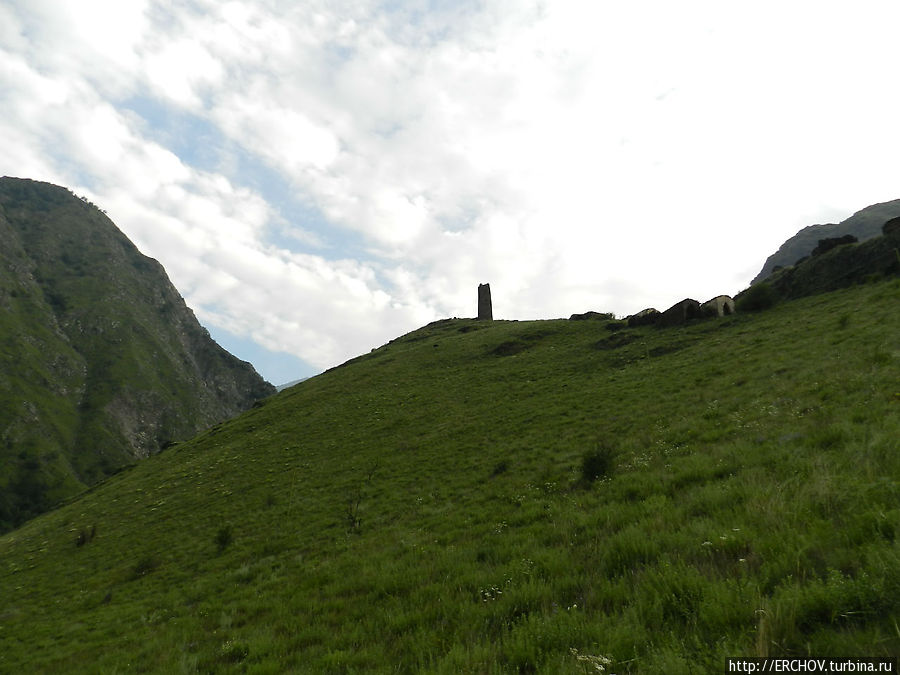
(864,224)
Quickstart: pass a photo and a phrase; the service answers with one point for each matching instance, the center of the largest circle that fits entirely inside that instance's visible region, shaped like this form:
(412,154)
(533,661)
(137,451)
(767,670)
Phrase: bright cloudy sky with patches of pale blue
(320,177)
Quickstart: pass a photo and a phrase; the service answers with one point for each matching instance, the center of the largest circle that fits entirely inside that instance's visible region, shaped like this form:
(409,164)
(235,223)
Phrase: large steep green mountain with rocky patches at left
(101,361)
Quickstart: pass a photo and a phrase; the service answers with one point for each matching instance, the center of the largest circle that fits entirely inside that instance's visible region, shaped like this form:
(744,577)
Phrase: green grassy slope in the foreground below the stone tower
(545,496)
